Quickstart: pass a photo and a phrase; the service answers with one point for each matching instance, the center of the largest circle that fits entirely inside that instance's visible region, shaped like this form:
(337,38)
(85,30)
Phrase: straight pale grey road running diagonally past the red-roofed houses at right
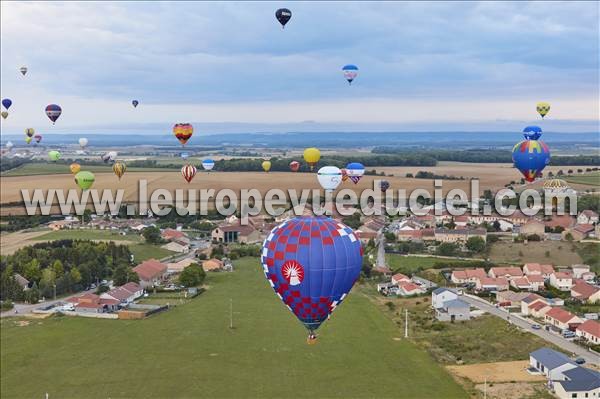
(525,324)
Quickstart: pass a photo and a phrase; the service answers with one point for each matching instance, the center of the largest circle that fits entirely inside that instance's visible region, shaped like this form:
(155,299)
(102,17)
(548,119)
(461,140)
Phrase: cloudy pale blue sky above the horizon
(230,66)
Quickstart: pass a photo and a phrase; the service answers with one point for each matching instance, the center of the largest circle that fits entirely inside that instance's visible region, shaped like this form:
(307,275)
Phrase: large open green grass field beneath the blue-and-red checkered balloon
(190,351)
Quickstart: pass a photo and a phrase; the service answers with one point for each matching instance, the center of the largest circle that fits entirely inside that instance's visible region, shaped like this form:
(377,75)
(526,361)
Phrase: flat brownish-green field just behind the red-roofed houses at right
(557,253)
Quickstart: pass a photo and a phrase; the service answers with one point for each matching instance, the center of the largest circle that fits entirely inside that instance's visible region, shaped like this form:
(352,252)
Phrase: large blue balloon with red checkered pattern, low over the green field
(312,263)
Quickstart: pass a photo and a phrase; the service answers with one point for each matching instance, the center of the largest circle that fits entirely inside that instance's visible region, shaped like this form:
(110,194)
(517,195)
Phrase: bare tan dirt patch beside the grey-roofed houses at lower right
(496,372)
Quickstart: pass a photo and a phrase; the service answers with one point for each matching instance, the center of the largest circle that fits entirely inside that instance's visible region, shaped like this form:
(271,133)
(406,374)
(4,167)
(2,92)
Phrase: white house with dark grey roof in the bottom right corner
(578,382)
